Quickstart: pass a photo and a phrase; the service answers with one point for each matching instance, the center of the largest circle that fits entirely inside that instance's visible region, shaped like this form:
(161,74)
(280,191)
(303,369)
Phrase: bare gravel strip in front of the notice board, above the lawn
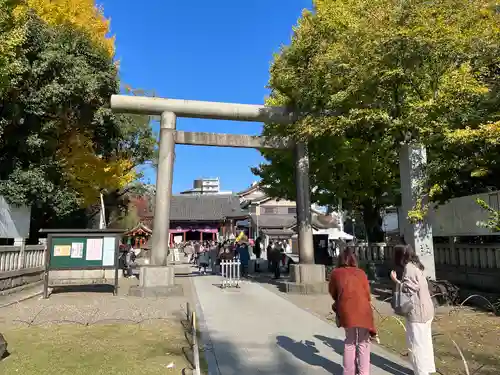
(96,307)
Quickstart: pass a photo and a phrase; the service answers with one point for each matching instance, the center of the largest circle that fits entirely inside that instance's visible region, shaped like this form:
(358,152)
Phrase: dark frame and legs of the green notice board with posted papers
(80,234)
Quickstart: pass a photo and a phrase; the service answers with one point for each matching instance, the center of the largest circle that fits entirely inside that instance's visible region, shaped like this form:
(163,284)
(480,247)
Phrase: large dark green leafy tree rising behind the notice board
(62,87)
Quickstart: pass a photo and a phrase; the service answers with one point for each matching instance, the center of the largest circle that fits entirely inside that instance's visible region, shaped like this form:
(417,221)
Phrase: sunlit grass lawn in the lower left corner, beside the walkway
(113,349)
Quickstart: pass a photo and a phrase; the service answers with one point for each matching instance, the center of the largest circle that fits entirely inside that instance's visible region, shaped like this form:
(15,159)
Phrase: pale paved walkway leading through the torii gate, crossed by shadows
(254,331)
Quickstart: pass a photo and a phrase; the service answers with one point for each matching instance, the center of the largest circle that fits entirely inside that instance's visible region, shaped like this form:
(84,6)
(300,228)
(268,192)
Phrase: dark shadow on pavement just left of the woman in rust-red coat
(307,352)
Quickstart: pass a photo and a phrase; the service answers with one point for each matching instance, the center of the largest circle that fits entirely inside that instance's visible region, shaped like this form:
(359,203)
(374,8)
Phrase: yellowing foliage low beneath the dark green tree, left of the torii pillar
(89,173)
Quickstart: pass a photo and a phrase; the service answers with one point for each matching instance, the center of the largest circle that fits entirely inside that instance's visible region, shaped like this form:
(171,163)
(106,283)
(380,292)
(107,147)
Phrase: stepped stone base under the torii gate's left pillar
(156,281)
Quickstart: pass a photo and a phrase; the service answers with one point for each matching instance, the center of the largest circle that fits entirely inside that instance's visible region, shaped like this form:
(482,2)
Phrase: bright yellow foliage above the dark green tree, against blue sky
(84,14)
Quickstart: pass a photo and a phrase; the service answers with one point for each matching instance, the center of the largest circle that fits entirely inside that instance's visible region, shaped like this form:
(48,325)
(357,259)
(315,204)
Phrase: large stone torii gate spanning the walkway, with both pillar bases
(158,278)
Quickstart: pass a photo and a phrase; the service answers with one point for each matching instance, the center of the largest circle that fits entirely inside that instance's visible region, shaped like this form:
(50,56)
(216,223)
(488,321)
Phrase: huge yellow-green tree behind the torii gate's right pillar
(368,75)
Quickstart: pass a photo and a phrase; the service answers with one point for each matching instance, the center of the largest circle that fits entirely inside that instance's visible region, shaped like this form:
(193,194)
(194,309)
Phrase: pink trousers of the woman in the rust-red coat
(360,338)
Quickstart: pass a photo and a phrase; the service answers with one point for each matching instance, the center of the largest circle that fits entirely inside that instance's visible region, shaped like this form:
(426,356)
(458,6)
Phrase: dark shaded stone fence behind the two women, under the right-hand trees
(469,266)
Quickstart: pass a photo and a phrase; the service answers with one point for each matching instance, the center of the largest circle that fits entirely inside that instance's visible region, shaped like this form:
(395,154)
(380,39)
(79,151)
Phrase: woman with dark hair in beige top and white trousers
(419,319)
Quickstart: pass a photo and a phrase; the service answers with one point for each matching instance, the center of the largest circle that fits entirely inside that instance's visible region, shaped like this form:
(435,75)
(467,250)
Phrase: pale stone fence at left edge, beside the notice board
(21,265)
